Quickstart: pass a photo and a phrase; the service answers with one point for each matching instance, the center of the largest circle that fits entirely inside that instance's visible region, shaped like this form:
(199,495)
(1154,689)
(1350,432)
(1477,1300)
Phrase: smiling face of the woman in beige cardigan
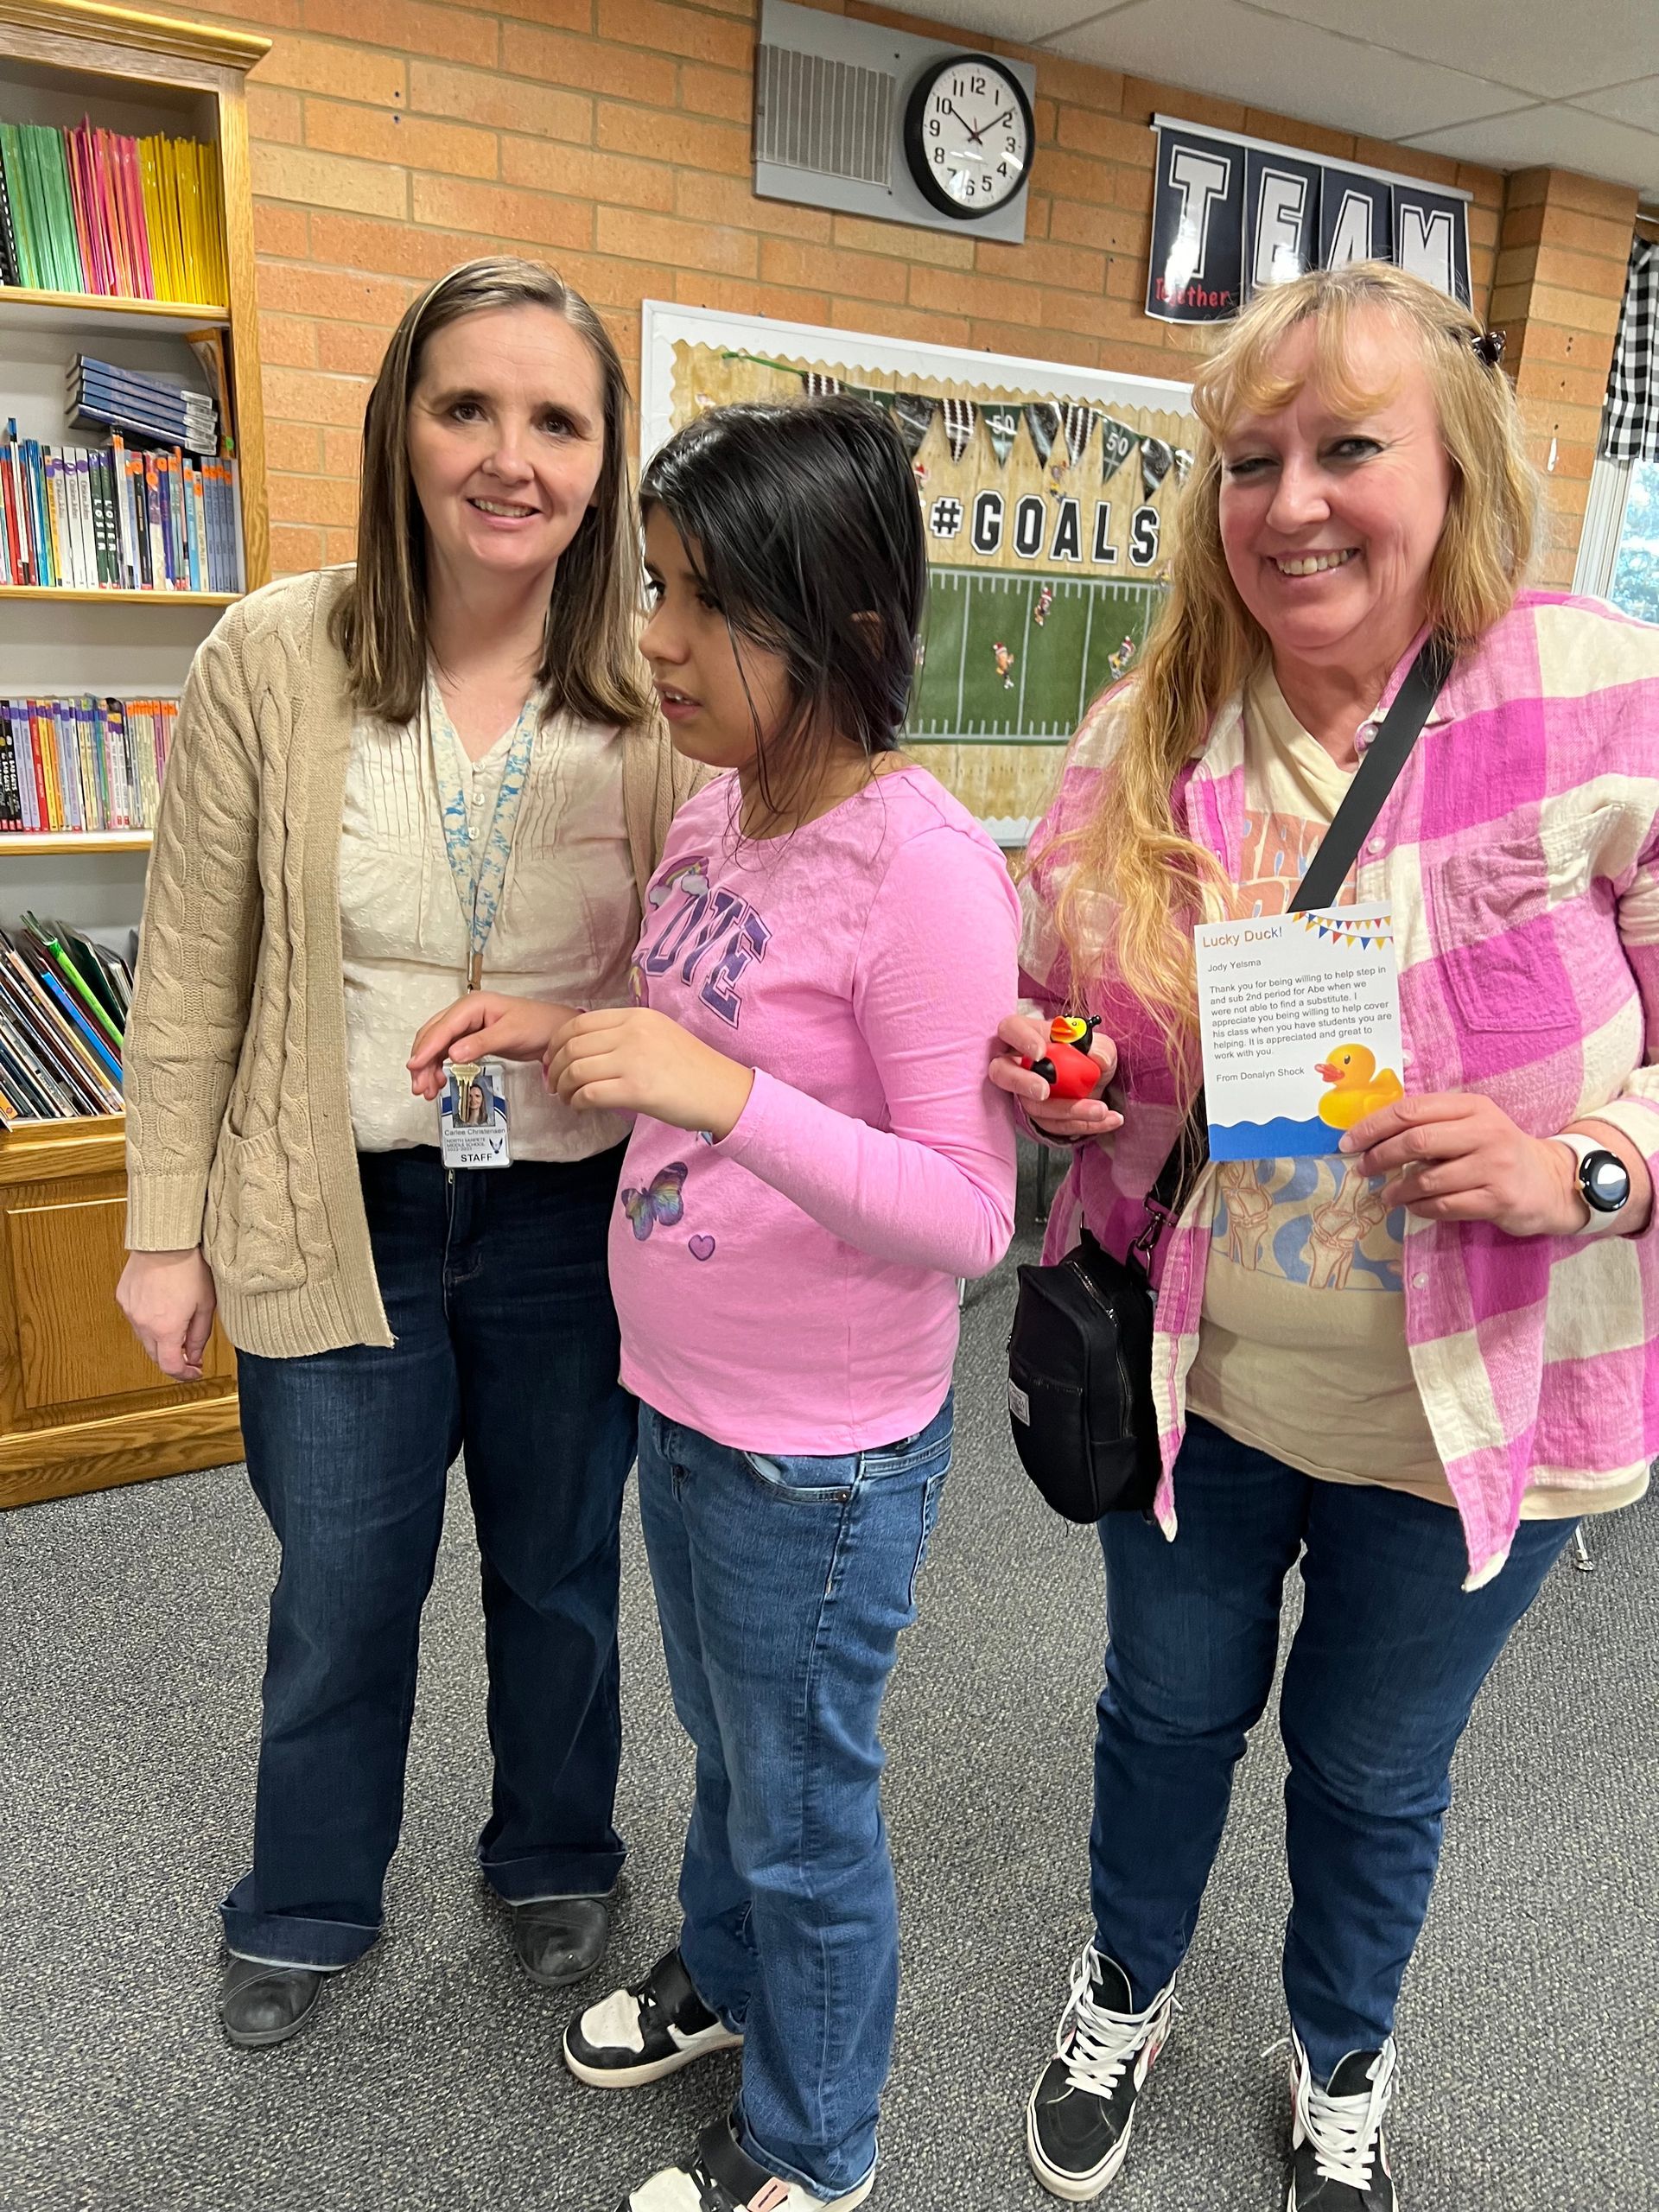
(505,444)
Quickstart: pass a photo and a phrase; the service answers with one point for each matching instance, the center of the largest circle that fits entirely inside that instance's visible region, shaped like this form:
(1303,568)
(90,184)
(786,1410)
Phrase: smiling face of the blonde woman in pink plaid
(1328,519)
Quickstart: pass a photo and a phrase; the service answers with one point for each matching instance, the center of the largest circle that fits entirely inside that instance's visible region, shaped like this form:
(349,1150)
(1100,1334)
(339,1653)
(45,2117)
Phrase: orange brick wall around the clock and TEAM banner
(612,138)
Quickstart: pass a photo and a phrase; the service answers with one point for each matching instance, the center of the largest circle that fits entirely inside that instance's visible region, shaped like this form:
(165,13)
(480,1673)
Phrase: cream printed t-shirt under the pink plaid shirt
(1302,1344)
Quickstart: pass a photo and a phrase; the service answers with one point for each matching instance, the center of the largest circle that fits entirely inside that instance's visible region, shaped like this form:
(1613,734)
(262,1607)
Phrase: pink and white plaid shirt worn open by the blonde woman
(1521,859)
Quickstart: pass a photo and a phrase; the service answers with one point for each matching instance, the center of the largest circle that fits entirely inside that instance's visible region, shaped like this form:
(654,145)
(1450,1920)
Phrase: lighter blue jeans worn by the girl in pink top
(782,1587)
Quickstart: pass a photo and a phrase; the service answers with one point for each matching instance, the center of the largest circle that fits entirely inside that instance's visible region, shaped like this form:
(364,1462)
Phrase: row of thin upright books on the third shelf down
(83,764)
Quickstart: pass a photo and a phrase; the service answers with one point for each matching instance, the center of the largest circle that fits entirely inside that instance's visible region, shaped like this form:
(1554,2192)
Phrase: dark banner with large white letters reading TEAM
(1233,216)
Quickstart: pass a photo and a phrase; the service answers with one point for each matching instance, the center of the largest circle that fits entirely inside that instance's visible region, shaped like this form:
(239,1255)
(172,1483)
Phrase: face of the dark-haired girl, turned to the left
(718,707)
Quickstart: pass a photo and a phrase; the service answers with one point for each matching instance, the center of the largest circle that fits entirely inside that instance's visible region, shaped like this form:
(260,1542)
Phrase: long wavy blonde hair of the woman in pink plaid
(1207,645)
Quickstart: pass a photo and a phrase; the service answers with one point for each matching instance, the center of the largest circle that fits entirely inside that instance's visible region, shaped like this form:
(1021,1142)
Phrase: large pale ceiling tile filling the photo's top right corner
(1523,43)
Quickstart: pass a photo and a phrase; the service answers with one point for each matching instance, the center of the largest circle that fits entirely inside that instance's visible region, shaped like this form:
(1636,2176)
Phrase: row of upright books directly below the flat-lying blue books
(101,519)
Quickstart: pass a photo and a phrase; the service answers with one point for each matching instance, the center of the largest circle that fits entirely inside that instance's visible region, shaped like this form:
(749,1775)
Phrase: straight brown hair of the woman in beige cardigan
(589,654)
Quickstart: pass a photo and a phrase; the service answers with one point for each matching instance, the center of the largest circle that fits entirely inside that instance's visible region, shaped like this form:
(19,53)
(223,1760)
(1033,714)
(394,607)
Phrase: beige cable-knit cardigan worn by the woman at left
(238,1107)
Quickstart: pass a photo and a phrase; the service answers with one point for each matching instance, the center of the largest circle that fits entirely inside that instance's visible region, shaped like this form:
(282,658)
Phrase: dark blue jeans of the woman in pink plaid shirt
(1379,1687)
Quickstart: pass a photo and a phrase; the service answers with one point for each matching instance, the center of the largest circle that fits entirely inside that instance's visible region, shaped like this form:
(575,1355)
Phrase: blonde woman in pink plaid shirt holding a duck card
(1417,1364)
